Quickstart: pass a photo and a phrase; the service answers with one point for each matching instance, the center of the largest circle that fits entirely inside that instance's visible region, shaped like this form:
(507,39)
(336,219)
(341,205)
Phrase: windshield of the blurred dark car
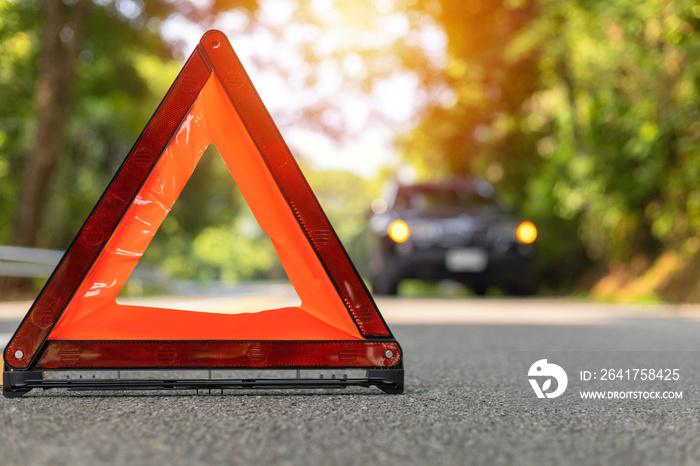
(441,197)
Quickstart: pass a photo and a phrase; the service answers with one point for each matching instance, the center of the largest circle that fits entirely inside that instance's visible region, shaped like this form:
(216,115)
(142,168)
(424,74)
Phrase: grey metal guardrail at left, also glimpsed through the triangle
(40,263)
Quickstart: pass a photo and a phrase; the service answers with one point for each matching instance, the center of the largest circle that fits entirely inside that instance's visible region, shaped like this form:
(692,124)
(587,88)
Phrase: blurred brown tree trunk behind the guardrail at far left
(61,38)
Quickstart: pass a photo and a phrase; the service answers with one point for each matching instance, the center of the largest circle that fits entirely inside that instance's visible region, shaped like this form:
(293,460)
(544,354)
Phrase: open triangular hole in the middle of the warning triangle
(207,250)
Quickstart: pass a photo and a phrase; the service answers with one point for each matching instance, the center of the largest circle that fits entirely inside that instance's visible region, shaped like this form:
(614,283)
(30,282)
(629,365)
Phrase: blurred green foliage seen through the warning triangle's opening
(210,234)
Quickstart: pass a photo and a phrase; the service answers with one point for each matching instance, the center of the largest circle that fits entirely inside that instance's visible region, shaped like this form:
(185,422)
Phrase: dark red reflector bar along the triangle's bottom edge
(213,354)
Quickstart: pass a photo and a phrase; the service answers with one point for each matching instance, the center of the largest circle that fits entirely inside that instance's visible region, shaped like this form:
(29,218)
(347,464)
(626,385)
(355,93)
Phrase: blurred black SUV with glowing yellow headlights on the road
(450,230)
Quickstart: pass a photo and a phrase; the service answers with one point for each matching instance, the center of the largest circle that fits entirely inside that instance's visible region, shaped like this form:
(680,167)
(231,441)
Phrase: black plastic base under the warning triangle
(18,383)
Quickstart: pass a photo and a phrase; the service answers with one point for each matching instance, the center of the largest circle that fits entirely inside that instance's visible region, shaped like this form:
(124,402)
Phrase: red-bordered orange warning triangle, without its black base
(76,323)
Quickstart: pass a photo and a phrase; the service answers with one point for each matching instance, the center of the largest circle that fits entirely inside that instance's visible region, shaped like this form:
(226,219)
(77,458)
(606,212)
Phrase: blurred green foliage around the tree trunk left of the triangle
(122,72)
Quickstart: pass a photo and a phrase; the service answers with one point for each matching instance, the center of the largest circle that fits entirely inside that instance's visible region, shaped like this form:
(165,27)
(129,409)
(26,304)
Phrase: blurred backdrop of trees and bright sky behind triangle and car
(584,114)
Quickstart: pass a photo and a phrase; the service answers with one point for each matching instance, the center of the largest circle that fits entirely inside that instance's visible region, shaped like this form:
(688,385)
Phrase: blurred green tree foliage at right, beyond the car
(619,106)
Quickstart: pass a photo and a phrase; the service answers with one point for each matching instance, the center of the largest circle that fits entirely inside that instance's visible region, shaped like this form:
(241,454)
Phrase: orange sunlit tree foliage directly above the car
(480,89)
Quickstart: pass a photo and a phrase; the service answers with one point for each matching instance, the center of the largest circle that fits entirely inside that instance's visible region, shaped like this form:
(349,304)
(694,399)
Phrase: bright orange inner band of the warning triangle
(93,314)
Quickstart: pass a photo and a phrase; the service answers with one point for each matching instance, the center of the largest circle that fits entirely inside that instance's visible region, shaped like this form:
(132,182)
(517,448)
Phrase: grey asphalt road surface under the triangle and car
(457,408)
